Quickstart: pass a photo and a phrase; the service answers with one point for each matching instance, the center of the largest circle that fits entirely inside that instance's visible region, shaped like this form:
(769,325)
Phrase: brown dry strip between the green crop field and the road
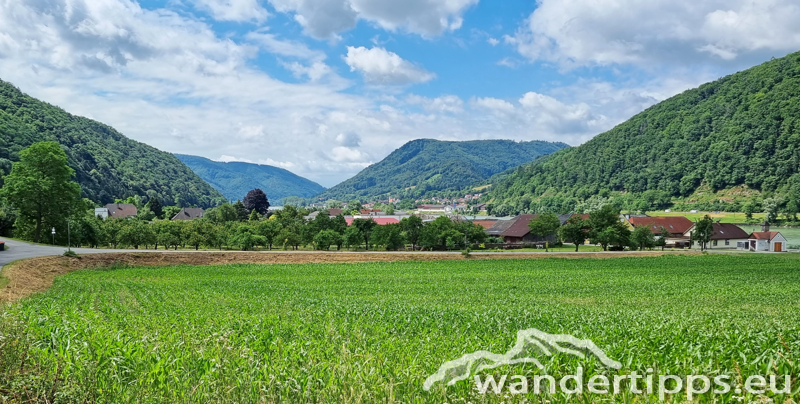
(34,275)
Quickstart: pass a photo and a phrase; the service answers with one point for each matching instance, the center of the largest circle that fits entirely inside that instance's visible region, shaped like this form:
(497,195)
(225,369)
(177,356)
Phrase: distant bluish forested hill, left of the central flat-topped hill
(235,179)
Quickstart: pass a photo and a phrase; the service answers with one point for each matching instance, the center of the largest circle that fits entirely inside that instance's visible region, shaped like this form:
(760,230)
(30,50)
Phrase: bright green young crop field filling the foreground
(373,332)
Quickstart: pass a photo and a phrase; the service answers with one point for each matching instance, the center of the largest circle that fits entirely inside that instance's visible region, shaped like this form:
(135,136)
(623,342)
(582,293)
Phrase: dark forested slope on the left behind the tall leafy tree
(107,164)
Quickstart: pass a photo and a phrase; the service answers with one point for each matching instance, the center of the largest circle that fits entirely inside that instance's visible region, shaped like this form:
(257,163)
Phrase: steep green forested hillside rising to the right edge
(741,130)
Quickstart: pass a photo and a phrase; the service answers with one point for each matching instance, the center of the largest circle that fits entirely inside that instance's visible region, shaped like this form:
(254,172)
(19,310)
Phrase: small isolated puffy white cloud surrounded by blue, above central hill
(380,66)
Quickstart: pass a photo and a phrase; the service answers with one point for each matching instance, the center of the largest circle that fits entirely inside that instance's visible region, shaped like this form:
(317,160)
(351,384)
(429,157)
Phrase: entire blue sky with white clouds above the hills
(323,88)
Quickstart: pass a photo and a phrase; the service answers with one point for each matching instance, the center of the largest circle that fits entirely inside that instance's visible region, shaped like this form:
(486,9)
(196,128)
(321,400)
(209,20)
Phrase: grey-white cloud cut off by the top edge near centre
(325,19)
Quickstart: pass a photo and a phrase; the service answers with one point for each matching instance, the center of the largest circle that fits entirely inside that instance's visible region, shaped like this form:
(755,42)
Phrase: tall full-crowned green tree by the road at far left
(40,186)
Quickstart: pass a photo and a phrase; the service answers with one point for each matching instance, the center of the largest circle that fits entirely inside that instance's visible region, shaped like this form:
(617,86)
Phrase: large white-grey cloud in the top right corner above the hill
(646,33)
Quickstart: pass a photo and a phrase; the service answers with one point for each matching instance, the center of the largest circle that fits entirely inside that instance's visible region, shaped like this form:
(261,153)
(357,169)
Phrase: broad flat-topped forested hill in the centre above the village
(425,166)
